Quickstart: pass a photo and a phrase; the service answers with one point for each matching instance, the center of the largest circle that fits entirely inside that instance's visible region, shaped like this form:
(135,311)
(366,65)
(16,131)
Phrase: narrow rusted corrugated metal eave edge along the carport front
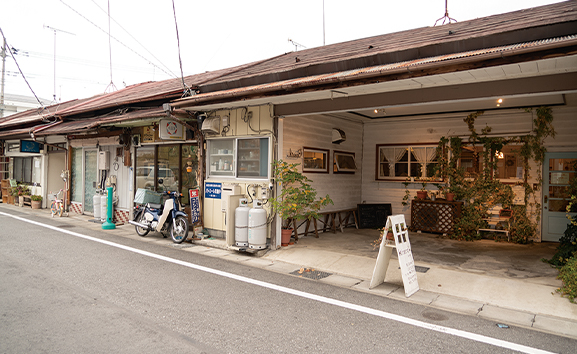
(378,70)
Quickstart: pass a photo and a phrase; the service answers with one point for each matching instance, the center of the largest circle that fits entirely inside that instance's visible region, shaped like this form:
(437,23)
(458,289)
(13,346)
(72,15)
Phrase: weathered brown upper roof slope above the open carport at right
(416,43)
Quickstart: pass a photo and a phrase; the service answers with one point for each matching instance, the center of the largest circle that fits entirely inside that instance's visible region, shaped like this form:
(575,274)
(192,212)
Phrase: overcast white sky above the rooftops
(81,60)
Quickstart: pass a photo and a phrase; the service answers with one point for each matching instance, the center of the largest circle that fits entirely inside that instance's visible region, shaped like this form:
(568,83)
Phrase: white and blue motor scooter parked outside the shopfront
(162,218)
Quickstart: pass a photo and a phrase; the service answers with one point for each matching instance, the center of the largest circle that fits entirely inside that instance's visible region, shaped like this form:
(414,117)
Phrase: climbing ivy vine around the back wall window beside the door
(482,191)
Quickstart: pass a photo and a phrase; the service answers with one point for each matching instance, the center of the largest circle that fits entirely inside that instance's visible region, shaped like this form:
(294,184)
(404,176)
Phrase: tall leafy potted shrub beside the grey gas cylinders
(297,198)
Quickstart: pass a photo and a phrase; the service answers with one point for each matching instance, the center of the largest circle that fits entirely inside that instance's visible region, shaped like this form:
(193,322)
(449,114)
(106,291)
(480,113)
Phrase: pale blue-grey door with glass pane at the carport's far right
(558,169)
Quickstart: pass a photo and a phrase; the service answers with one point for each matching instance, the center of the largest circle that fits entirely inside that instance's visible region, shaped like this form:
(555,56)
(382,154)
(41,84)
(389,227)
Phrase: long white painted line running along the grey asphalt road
(326,300)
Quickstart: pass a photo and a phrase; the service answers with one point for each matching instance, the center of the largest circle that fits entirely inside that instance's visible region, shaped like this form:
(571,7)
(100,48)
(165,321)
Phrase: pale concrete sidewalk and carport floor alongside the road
(501,282)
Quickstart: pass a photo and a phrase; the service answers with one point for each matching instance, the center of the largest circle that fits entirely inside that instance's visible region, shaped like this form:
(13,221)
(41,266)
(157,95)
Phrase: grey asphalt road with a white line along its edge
(64,293)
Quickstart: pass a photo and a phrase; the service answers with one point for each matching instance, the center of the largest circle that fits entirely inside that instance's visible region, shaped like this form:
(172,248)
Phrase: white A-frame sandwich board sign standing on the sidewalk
(405,256)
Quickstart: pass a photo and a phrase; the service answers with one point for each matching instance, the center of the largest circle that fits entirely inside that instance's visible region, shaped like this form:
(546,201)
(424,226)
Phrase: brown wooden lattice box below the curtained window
(434,216)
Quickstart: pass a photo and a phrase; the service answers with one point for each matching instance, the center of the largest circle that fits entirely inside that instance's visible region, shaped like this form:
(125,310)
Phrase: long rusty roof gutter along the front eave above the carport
(386,70)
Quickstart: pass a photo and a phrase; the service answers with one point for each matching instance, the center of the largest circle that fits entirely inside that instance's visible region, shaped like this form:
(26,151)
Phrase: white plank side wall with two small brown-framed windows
(316,132)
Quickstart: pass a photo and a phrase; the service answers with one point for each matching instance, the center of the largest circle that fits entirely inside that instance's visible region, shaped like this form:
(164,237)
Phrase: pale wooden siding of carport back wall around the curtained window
(429,129)
